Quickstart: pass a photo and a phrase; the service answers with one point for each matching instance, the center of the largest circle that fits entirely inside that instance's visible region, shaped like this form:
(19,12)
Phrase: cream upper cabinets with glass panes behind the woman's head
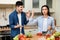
(36,5)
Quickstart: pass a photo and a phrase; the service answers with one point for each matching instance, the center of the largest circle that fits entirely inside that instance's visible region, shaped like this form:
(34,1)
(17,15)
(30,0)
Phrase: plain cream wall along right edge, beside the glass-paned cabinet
(57,11)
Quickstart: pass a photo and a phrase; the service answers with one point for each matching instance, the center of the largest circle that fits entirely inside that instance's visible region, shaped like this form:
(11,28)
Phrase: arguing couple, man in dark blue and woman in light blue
(18,18)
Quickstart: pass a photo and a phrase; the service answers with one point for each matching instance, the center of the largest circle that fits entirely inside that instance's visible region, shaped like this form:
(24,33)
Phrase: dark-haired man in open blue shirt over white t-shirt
(17,19)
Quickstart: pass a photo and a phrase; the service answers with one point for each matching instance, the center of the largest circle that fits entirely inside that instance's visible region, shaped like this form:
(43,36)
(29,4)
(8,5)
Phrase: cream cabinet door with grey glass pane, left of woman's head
(37,4)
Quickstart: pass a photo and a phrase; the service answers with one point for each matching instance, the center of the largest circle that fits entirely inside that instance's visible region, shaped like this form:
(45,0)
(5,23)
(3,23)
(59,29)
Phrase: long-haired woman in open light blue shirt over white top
(45,22)
